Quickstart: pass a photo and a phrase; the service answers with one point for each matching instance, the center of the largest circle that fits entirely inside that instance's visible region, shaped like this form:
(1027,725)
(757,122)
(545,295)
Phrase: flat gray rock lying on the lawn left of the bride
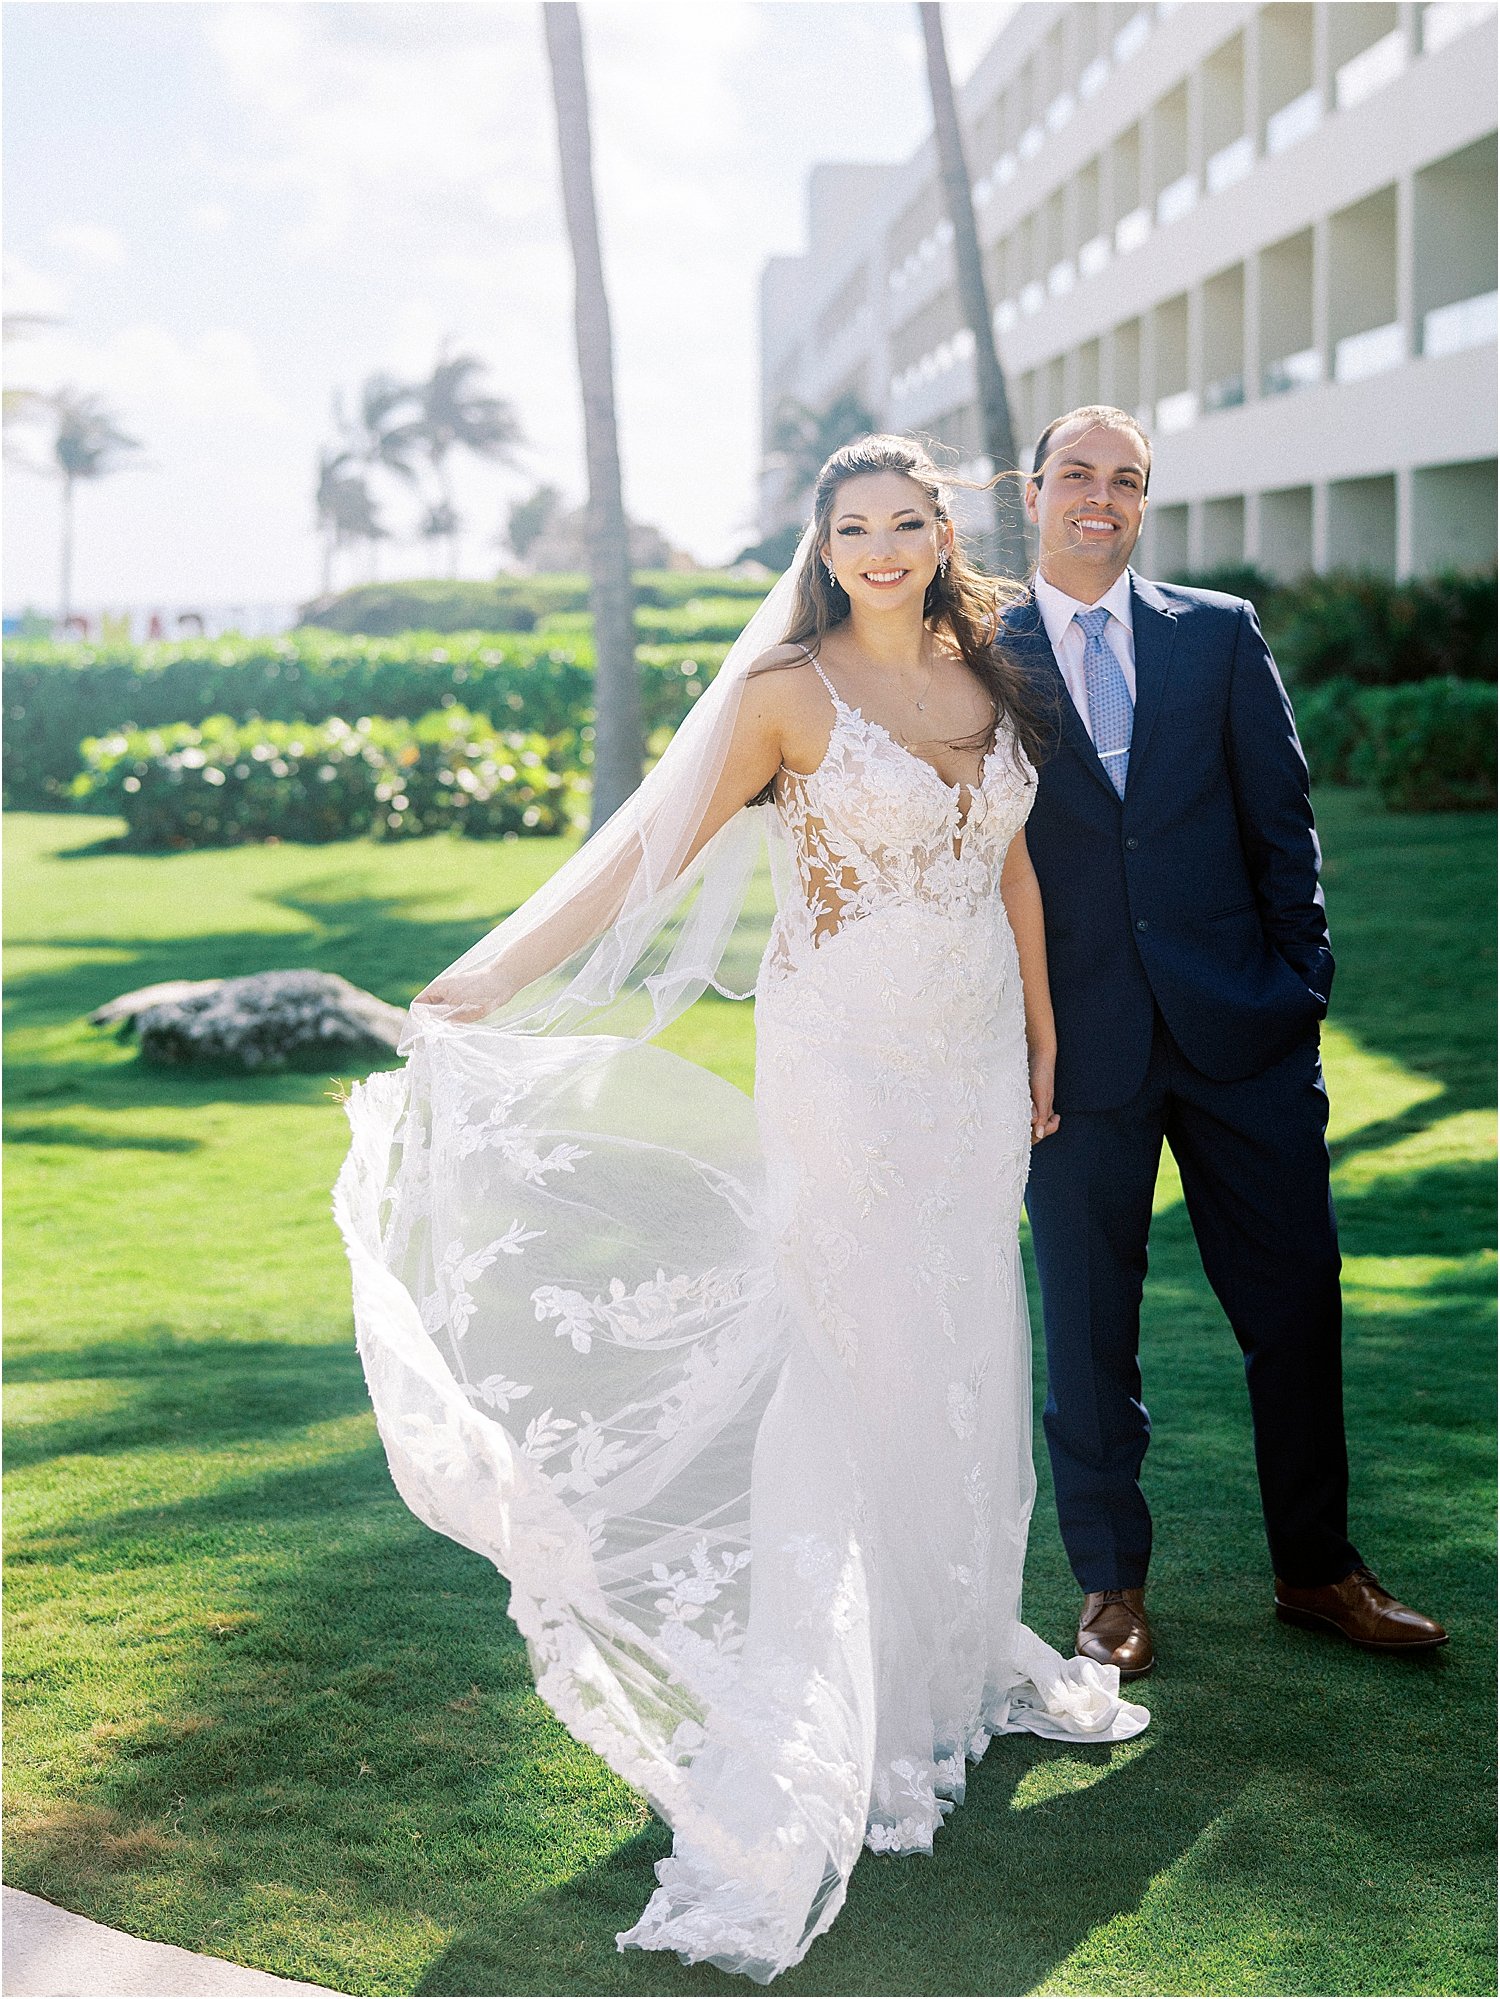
(269,1020)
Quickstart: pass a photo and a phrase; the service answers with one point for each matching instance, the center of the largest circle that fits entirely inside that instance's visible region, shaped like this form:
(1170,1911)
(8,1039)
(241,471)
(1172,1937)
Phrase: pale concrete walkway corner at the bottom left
(51,1954)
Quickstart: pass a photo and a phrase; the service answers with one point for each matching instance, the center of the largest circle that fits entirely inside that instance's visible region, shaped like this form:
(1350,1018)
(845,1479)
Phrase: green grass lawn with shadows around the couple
(259,1710)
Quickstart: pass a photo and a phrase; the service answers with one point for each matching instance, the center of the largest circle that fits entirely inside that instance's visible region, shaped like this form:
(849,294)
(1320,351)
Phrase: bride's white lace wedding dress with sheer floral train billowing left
(749,1434)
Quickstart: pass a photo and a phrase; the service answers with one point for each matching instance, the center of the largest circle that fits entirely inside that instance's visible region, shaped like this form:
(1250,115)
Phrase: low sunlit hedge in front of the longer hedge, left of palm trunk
(227,783)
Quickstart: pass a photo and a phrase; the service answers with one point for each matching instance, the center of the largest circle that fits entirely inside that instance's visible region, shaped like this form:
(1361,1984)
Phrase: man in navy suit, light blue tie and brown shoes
(1189,957)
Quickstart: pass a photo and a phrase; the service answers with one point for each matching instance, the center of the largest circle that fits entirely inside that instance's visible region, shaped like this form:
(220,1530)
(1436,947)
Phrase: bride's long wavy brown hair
(963,603)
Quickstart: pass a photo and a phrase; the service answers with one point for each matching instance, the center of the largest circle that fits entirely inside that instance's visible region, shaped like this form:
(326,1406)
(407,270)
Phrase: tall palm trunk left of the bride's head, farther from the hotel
(619,751)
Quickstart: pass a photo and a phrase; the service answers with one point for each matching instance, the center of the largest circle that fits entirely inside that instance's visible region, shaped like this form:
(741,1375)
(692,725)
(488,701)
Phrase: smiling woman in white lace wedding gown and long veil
(739,1396)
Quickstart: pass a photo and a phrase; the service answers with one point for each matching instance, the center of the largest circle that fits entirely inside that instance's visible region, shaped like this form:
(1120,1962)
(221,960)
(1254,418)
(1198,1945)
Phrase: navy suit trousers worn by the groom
(1255,1172)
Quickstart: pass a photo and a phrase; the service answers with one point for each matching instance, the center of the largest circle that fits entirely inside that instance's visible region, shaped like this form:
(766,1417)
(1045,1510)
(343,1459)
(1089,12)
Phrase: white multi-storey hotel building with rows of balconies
(1271,231)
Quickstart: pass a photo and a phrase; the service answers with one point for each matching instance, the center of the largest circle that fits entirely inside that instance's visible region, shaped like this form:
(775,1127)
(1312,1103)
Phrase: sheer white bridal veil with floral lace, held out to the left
(577,1356)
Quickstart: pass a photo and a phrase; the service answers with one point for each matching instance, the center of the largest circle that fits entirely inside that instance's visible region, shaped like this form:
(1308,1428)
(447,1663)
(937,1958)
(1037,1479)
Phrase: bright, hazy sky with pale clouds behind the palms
(237,209)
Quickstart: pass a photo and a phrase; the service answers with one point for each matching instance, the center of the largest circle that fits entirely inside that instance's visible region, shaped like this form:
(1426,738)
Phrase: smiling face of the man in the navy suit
(1087,505)
